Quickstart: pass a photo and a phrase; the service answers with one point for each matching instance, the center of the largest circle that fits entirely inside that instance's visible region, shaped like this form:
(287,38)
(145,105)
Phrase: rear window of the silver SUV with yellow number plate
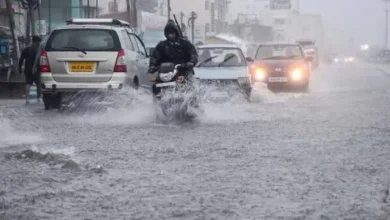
(83,40)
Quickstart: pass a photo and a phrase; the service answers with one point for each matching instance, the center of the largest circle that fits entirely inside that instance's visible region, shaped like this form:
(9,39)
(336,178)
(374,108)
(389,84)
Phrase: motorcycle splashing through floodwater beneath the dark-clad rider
(175,94)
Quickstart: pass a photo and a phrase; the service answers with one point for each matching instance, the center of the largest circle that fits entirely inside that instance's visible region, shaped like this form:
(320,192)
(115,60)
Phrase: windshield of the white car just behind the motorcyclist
(220,57)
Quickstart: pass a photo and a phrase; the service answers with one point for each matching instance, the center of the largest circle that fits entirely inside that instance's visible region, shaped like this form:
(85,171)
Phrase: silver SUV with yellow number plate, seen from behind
(91,55)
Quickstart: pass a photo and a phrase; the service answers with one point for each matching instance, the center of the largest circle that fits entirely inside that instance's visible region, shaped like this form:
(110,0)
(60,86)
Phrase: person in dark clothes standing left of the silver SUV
(28,57)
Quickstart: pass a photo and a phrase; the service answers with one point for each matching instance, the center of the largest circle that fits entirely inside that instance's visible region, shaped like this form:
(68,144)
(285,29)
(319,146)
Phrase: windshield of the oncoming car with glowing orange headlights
(279,52)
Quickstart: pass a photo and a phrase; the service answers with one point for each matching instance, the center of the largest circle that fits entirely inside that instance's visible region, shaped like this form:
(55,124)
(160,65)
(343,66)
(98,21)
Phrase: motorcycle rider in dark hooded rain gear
(175,50)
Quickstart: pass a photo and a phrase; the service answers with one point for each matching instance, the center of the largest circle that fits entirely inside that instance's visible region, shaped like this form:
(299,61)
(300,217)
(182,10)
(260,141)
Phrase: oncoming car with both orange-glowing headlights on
(282,65)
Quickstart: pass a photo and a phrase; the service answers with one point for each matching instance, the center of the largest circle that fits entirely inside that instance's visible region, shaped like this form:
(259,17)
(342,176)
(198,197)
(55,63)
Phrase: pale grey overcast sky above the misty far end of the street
(363,20)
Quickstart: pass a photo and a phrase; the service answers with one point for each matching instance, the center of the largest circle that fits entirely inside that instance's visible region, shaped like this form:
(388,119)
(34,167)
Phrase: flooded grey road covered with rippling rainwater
(323,155)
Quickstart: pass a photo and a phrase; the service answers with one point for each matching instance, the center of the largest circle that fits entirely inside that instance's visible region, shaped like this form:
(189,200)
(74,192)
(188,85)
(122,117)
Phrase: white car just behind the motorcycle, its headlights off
(224,65)
